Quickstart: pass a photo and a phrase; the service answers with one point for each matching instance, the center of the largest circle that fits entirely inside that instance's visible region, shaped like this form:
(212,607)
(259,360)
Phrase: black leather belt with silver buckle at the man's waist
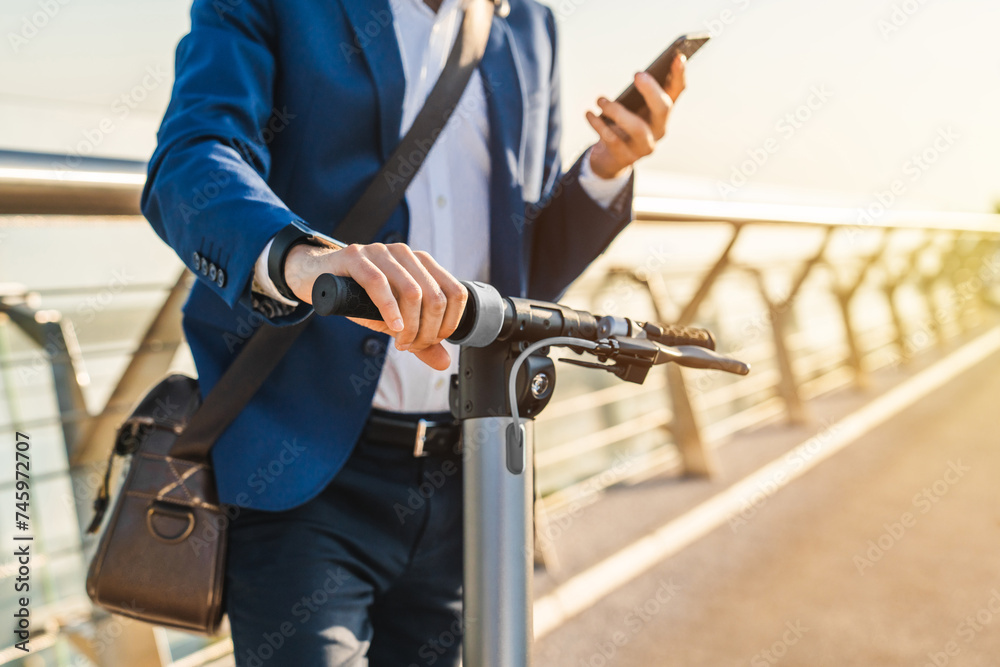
(423,435)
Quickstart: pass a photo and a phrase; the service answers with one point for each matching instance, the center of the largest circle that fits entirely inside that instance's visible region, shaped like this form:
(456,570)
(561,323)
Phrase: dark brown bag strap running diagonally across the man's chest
(262,352)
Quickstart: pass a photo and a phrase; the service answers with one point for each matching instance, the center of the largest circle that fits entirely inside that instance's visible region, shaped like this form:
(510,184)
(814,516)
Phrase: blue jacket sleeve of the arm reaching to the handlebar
(206,193)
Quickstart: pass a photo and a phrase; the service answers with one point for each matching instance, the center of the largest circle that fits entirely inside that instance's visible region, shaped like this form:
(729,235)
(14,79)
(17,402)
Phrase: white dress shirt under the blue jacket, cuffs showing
(448,199)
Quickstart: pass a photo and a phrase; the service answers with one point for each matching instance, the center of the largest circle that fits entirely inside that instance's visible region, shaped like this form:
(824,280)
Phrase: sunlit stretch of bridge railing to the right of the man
(816,299)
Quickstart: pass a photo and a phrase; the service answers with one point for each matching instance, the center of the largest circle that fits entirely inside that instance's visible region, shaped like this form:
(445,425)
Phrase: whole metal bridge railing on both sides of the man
(815,298)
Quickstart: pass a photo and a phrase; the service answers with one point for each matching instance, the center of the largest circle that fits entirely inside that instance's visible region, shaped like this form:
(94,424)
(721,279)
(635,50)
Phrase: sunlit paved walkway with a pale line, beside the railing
(886,554)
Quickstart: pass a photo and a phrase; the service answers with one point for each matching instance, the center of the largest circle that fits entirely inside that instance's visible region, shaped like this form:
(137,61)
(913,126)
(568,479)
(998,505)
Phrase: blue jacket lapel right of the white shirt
(505,102)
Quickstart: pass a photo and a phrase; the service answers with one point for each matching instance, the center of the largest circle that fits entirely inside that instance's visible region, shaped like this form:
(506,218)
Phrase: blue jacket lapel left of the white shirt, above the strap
(373,26)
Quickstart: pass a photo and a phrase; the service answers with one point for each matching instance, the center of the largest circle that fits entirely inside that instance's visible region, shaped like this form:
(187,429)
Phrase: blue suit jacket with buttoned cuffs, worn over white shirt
(286,109)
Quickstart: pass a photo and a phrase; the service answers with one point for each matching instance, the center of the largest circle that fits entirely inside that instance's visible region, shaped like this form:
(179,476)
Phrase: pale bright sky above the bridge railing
(792,101)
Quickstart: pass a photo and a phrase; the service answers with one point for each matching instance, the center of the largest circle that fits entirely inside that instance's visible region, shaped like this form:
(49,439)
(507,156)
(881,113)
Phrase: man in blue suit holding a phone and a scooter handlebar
(347,546)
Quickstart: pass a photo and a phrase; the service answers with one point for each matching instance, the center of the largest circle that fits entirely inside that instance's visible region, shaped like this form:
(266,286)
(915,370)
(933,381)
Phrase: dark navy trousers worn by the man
(367,573)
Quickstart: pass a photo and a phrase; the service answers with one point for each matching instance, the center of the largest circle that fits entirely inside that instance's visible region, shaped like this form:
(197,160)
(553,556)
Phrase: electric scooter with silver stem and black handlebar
(505,379)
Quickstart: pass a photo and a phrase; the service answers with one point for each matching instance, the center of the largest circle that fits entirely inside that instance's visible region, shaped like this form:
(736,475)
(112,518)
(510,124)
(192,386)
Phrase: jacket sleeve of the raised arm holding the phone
(568,229)
